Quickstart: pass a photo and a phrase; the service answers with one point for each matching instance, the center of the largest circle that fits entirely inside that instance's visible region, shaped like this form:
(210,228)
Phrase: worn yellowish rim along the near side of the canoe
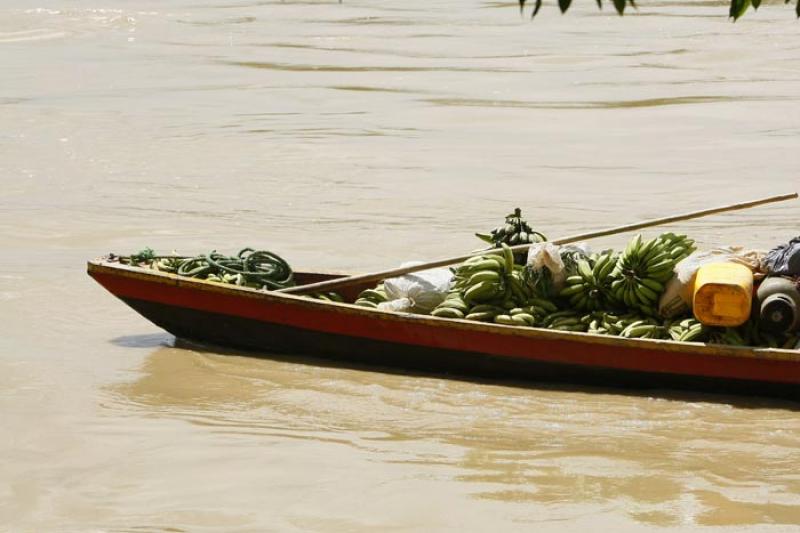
(102,265)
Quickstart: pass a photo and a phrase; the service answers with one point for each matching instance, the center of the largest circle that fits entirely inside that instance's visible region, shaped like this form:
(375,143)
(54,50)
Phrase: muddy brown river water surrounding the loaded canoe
(351,137)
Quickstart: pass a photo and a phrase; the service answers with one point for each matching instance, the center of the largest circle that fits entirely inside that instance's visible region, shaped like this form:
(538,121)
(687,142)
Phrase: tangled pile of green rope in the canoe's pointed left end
(258,269)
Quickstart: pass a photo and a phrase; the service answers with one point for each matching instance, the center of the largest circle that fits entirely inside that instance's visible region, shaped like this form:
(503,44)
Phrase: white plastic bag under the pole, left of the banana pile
(418,292)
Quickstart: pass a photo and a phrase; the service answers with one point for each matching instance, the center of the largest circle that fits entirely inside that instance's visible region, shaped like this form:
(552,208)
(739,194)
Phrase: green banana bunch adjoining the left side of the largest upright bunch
(589,288)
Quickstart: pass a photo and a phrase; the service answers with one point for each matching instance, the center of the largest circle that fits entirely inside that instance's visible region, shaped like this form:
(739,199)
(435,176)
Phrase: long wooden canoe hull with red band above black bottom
(270,322)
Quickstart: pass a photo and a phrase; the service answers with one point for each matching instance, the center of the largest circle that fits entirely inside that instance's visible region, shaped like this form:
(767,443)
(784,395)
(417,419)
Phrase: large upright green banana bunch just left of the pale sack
(645,267)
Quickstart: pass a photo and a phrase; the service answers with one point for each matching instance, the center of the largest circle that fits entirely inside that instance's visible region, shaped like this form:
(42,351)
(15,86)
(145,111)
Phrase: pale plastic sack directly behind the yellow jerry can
(677,297)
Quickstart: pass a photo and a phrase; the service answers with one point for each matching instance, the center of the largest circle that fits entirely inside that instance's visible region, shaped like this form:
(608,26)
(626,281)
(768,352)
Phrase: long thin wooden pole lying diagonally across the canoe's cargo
(375,276)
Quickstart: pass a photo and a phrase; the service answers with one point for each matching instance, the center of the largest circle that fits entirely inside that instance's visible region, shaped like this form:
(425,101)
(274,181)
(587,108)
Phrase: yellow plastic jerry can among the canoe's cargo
(723,294)
